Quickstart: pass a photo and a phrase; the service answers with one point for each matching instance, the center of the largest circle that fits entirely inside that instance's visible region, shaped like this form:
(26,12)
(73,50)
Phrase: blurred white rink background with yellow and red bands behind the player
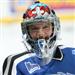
(11,12)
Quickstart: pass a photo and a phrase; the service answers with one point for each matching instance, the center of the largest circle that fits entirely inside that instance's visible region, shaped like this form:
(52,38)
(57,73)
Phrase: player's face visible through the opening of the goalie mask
(41,30)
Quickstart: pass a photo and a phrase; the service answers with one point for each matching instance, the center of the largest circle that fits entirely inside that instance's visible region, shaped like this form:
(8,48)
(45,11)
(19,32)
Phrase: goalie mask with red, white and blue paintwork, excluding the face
(37,14)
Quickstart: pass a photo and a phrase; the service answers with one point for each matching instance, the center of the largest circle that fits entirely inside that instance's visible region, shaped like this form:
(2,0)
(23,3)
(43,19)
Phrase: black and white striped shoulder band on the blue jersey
(12,59)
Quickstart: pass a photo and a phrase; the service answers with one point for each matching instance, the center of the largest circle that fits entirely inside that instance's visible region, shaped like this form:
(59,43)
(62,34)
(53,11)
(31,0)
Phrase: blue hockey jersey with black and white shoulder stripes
(27,63)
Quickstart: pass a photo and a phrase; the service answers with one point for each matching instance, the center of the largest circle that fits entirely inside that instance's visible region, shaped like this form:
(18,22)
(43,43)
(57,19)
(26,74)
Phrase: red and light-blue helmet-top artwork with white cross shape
(38,10)
